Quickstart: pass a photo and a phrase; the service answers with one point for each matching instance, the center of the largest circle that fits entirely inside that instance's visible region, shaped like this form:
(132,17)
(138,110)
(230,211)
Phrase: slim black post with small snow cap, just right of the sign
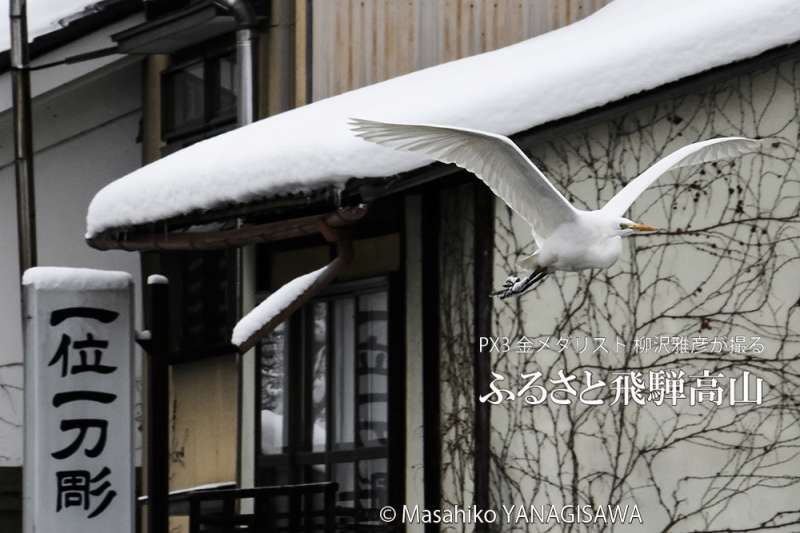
(158,407)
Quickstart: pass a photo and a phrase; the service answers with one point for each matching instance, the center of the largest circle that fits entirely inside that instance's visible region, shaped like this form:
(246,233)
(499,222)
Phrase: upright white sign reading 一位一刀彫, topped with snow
(78,474)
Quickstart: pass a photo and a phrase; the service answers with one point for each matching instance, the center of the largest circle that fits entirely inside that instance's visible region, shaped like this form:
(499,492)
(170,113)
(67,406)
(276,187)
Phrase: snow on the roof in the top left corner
(44,16)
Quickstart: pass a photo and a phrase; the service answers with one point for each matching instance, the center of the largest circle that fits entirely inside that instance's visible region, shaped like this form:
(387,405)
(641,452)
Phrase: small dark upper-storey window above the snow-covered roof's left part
(199,97)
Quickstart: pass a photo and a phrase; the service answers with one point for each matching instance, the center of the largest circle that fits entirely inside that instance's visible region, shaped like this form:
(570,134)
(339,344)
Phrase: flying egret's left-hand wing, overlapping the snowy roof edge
(495,159)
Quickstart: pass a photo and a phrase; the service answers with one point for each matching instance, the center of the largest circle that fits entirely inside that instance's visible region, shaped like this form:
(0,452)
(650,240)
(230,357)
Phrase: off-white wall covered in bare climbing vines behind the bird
(726,266)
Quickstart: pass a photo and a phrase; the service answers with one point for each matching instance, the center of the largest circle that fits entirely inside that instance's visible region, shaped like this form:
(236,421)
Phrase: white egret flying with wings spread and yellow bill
(567,238)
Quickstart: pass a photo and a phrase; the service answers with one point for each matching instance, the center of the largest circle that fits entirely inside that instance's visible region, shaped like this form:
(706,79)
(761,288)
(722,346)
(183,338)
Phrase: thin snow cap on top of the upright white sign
(75,279)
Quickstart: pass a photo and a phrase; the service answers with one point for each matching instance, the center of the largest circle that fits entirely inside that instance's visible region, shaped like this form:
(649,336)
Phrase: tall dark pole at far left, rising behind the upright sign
(23,139)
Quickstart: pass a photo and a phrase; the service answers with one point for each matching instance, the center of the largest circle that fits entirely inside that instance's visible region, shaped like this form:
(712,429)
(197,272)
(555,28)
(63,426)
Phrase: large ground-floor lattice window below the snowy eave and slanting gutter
(325,382)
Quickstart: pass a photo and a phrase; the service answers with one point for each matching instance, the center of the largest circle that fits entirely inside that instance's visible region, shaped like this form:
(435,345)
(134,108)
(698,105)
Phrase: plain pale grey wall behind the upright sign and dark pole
(84,136)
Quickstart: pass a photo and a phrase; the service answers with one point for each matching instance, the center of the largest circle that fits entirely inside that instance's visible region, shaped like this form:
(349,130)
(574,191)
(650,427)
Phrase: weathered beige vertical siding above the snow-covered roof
(359,42)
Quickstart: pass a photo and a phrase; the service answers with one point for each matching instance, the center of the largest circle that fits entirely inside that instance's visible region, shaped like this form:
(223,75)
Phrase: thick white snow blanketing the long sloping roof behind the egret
(627,47)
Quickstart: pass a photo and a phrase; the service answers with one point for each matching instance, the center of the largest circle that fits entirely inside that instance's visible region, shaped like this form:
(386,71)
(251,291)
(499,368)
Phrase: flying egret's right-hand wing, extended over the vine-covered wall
(693,154)
